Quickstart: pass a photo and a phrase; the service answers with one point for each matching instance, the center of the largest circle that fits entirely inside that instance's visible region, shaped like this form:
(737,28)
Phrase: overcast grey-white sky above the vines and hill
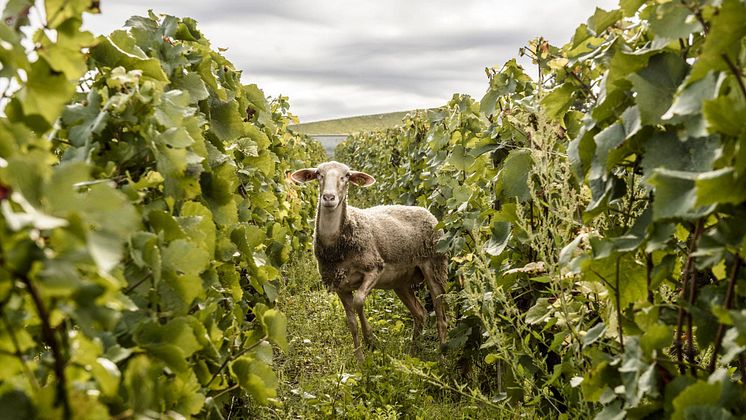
(341,58)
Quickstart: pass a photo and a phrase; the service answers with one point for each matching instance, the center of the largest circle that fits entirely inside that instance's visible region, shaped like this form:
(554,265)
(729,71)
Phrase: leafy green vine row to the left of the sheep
(145,219)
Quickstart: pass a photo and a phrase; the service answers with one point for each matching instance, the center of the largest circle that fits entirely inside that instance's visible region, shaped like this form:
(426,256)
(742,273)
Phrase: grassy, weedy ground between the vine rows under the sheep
(319,377)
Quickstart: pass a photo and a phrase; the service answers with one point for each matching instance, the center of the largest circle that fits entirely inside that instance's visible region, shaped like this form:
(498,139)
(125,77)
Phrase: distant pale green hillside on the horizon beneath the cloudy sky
(351,125)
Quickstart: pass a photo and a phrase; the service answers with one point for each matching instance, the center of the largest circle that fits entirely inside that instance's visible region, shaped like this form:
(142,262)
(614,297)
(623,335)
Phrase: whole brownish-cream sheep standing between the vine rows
(382,247)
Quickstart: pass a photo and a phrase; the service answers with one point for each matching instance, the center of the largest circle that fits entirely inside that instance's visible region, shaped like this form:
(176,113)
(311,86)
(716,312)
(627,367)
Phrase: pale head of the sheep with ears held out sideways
(334,179)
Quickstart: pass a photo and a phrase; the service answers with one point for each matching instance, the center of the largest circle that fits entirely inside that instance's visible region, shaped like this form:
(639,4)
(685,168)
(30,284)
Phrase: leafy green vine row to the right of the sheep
(595,216)
